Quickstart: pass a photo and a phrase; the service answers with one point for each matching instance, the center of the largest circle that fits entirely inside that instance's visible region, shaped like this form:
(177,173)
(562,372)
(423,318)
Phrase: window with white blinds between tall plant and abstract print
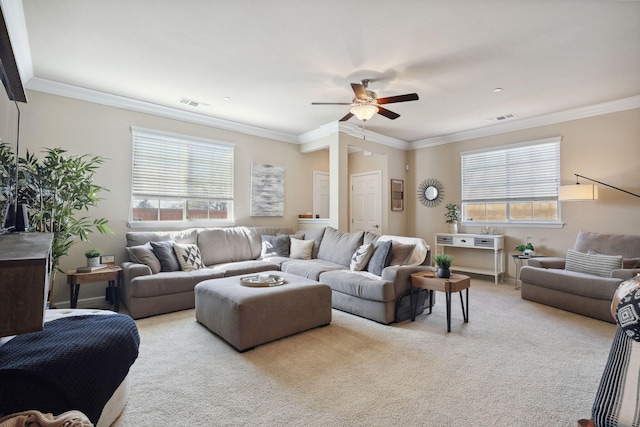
(180,178)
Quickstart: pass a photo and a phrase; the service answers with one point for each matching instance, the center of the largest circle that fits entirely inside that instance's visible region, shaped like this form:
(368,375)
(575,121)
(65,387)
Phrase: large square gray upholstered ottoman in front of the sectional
(246,316)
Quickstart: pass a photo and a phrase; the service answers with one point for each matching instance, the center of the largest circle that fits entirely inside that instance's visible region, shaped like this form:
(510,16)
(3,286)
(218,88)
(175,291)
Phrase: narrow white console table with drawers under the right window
(478,242)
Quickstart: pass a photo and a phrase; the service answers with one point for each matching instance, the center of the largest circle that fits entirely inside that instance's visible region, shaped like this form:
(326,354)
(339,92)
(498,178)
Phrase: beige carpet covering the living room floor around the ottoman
(516,363)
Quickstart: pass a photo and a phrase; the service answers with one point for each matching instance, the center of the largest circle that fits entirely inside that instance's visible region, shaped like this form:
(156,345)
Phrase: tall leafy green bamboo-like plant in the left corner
(56,188)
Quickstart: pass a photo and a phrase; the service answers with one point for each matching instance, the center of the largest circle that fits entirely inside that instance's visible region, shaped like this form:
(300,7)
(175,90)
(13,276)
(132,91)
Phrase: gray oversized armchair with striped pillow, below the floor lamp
(585,282)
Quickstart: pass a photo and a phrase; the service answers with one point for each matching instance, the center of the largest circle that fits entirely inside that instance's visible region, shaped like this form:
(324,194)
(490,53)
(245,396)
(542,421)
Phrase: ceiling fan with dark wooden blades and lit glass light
(366,103)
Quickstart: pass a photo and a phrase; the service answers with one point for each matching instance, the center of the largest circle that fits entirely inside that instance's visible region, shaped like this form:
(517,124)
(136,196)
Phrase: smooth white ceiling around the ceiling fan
(273,58)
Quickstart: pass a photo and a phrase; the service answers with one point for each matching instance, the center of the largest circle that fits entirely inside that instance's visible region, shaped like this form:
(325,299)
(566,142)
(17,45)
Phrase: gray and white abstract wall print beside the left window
(267,190)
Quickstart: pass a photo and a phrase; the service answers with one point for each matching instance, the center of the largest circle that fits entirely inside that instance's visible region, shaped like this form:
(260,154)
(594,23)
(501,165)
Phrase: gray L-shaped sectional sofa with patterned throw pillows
(369,274)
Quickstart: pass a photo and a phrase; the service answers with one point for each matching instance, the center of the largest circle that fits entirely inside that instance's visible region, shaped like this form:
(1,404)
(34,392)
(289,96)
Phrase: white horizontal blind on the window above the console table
(522,172)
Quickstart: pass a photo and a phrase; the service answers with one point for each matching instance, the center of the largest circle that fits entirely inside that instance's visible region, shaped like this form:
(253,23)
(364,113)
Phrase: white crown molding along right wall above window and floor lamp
(547,119)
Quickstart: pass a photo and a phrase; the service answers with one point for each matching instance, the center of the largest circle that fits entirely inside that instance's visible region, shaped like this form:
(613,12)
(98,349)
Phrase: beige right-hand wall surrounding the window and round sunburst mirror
(606,148)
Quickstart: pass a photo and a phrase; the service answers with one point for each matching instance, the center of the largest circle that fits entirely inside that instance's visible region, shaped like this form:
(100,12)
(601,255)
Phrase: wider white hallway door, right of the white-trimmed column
(366,207)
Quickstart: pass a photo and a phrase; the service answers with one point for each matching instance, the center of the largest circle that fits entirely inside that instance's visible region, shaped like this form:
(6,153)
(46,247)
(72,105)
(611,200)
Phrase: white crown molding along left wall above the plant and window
(97,97)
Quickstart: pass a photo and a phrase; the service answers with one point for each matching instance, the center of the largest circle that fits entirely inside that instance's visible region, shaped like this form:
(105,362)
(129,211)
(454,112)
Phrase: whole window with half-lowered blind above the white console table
(512,184)
